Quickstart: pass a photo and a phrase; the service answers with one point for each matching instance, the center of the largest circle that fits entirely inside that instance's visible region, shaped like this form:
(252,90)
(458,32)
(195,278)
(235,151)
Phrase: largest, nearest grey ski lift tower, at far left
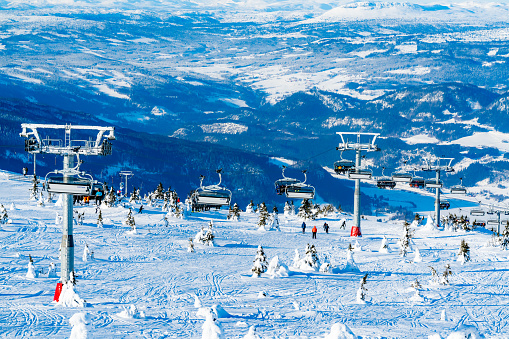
(72,181)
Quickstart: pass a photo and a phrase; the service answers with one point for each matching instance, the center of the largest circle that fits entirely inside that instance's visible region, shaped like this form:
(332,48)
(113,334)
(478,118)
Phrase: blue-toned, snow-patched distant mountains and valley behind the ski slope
(204,90)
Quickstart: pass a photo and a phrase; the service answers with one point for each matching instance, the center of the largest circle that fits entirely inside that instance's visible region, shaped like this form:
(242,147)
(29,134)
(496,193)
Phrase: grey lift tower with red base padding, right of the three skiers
(358,147)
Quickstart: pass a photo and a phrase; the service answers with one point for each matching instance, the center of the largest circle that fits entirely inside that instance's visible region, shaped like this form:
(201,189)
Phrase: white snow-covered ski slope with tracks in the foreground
(147,285)
